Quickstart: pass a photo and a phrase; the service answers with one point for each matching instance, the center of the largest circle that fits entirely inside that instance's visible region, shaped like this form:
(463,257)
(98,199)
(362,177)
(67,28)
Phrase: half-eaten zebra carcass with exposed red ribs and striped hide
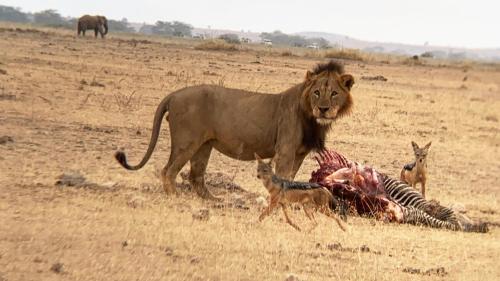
(371,193)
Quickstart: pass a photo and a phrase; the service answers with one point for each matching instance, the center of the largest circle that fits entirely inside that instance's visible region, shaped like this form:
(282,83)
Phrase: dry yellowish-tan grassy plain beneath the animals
(66,104)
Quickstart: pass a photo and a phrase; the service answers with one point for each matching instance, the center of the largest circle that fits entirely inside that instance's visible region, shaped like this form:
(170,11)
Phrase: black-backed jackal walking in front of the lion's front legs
(311,196)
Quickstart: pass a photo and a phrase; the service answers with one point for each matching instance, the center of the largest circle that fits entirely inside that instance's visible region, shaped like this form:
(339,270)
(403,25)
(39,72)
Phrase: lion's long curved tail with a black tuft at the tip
(160,112)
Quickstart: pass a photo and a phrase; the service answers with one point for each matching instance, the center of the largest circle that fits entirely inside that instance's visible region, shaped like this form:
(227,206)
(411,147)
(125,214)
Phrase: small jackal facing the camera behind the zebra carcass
(416,172)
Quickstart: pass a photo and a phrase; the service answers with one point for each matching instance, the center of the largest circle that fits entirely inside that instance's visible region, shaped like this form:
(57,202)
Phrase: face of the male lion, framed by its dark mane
(328,95)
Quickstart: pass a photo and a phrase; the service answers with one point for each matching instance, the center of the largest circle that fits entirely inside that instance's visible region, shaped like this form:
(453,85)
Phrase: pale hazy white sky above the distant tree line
(459,23)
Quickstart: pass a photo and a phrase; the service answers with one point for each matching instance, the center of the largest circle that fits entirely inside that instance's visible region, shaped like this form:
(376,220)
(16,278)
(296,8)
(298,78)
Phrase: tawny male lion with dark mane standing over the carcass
(238,123)
